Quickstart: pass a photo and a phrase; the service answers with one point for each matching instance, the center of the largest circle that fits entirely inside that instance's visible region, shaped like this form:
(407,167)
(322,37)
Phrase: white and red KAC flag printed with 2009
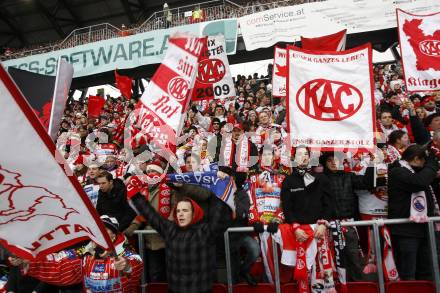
(214,79)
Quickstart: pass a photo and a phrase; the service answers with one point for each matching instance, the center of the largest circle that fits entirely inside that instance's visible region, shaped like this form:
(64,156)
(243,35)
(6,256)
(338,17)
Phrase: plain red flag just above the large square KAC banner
(333,42)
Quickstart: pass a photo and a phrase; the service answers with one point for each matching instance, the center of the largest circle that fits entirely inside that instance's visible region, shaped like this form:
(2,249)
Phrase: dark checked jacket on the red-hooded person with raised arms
(190,252)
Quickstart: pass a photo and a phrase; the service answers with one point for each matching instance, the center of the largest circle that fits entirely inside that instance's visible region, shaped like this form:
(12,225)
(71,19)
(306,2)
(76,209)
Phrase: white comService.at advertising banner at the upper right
(287,24)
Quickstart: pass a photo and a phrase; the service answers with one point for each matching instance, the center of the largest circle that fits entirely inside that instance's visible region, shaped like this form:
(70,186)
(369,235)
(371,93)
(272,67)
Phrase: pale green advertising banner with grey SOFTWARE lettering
(123,52)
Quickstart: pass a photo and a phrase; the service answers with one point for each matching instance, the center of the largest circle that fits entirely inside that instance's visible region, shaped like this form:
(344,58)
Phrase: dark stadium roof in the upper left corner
(32,22)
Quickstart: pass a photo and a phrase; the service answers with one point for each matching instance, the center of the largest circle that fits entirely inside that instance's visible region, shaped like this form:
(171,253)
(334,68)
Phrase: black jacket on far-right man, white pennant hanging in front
(401,184)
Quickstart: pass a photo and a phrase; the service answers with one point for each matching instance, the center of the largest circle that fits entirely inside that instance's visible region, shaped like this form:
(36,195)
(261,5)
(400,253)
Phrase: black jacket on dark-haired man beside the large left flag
(115,204)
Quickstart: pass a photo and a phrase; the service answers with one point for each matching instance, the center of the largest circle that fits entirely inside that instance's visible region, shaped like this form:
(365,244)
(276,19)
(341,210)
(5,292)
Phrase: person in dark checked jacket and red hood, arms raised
(190,239)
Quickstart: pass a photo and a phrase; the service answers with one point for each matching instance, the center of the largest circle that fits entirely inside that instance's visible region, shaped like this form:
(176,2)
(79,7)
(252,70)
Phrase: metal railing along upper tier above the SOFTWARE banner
(212,10)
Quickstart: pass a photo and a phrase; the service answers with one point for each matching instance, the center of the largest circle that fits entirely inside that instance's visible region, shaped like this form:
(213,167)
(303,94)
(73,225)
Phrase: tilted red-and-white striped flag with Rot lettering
(160,110)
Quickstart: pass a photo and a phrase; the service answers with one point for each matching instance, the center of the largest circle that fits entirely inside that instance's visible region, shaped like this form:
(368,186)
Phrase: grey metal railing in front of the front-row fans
(377,247)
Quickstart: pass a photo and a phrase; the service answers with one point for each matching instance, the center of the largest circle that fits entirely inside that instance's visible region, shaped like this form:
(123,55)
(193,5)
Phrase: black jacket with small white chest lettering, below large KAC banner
(306,204)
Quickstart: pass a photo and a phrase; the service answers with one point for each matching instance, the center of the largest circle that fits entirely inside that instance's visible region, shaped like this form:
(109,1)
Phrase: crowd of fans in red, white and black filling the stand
(298,192)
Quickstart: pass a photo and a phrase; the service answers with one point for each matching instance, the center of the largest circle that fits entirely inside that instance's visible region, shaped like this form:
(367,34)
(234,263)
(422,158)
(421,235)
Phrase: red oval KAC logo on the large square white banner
(329,100)
